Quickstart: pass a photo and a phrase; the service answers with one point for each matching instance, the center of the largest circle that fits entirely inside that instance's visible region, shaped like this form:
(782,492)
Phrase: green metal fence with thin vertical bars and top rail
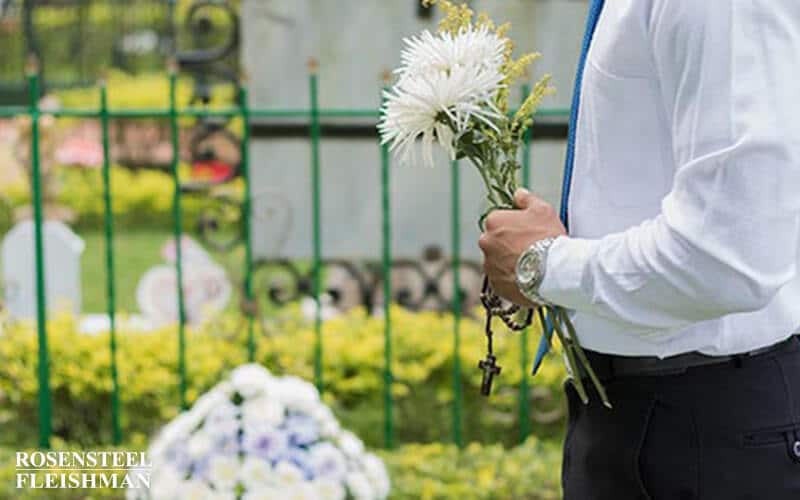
(314,115)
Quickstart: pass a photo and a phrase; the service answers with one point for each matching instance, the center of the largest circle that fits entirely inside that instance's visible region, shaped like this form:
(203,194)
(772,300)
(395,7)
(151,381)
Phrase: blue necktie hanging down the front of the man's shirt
(591,24)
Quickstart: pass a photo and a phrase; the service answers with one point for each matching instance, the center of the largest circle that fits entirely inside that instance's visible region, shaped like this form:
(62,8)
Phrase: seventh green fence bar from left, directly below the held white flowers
(456,263)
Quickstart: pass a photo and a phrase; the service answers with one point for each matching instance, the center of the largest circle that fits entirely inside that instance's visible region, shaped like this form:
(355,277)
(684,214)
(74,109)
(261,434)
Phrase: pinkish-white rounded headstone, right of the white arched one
(206,288)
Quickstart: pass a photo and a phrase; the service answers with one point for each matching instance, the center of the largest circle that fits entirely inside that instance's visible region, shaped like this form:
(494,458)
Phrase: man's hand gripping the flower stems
(508,233)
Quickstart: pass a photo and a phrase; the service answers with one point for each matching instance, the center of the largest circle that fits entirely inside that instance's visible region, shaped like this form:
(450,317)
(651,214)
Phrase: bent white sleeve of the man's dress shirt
(726,239)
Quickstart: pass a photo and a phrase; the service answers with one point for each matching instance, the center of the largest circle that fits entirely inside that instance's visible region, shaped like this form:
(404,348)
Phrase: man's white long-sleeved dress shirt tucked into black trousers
(685,201)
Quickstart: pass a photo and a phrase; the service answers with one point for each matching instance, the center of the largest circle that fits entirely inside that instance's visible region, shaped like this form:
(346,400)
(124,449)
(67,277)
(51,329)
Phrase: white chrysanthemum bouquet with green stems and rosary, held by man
(453,89)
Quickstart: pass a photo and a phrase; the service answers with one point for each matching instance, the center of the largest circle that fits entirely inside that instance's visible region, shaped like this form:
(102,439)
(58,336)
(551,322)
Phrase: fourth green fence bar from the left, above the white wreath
(250,310)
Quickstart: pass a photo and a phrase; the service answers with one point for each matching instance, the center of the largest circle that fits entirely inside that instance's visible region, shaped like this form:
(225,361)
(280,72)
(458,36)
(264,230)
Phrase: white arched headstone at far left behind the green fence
(62,264)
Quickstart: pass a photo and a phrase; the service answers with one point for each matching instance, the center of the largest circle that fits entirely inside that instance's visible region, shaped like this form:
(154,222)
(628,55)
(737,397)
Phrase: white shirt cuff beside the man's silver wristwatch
(567,259)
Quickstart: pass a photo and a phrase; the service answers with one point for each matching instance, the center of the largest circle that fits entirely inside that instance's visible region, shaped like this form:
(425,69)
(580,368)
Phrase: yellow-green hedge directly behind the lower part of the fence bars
(353,366)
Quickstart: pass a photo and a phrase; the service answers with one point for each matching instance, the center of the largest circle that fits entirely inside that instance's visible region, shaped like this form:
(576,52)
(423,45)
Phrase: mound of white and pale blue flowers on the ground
(256,436)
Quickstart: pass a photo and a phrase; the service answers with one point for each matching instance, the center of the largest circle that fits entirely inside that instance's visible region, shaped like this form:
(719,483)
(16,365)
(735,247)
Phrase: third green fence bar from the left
(177,230)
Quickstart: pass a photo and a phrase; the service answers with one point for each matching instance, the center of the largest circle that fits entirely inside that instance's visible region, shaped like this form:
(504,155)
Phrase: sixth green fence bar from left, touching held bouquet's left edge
(387,289)
